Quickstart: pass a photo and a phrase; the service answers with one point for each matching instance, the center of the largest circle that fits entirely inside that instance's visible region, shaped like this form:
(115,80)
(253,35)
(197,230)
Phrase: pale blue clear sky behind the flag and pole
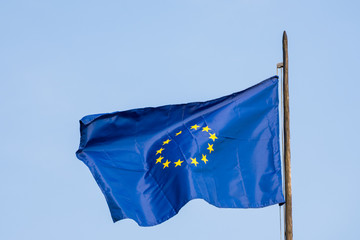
(62,60)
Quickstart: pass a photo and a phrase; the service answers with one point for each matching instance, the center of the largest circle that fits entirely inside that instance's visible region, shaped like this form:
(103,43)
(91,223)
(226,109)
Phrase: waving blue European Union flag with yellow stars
(150,162)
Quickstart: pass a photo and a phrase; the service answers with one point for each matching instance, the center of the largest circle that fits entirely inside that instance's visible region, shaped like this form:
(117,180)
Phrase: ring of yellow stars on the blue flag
(193,162)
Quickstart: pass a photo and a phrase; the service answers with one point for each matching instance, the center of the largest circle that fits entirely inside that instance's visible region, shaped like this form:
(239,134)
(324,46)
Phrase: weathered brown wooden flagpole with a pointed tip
(288,195)
